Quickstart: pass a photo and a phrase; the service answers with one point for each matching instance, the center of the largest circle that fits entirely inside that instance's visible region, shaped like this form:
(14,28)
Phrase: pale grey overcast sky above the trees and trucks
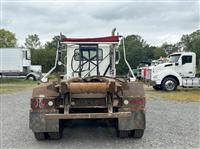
(156,21)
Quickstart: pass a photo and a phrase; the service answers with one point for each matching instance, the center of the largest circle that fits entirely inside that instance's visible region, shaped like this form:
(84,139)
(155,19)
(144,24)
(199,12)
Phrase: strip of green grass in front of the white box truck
(12,85)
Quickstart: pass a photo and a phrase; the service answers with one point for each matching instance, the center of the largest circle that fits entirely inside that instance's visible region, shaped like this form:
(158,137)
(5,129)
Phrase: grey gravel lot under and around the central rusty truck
(170,124)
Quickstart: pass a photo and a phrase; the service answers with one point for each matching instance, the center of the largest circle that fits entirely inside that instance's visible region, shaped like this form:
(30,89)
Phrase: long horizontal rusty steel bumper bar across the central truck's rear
(88,115)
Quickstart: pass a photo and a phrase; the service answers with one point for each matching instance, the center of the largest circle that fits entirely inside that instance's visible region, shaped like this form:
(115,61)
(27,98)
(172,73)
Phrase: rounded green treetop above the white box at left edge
(7,39)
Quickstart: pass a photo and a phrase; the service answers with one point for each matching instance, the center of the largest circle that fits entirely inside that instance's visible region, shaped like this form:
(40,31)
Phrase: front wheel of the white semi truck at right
(169,84)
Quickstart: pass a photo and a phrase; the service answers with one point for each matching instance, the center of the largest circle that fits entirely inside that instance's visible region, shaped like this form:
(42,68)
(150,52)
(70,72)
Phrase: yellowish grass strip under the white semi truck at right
(181,94)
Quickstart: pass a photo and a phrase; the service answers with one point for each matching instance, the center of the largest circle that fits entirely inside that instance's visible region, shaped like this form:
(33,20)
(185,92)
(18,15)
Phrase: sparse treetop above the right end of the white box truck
(32,42)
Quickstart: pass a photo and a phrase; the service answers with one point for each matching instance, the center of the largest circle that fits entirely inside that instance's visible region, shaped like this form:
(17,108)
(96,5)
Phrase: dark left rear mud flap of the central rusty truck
(39,123)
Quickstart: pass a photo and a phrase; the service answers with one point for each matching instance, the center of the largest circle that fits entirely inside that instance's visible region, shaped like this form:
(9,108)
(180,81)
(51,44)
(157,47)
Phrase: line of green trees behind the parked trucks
(137,49)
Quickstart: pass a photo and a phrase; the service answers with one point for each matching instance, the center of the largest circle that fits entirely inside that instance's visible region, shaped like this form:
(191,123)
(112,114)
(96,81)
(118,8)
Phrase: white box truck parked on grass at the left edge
(16,63)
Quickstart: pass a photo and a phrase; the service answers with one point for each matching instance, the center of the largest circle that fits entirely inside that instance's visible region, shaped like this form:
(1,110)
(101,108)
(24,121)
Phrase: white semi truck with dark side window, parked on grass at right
(180,70)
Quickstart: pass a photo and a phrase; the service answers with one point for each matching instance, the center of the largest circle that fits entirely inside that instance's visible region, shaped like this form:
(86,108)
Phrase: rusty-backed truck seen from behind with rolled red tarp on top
(89,90)
